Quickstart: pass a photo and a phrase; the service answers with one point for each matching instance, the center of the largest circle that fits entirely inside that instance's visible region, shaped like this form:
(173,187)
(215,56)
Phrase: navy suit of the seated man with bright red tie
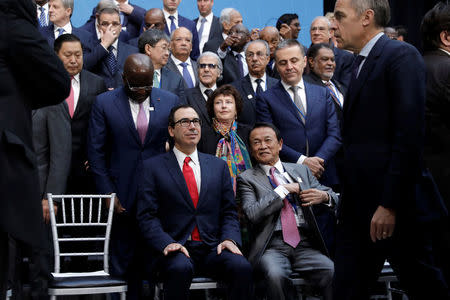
(167,215)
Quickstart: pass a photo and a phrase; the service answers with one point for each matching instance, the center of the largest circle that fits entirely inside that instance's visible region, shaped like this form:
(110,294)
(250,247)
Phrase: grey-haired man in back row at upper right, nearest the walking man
(320,32)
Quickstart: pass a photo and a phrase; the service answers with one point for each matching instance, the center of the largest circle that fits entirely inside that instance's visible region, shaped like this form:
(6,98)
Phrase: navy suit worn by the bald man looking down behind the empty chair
(115,151)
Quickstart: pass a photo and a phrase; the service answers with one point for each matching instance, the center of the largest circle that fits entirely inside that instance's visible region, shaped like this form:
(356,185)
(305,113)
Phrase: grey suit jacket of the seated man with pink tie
(262,206)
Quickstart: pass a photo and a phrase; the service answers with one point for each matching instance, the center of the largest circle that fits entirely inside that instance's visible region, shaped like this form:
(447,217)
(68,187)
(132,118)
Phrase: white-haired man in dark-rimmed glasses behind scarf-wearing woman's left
(209,71)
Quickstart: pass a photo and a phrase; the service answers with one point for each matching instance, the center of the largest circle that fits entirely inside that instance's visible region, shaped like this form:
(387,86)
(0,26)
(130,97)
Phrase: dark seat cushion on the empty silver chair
(85,281)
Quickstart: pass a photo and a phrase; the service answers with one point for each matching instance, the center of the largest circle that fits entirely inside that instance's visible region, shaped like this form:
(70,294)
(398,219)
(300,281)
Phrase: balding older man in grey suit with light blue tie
(179,60)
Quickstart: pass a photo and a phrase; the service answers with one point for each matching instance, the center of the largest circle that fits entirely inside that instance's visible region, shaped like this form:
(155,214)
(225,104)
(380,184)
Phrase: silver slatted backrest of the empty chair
(77,211)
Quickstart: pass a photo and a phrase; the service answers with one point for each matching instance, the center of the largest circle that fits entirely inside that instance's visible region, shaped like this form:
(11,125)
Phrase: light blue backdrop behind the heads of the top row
(256,13)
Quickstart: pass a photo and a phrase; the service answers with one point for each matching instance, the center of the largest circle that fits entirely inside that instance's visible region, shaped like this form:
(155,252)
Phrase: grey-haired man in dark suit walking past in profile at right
(385,208)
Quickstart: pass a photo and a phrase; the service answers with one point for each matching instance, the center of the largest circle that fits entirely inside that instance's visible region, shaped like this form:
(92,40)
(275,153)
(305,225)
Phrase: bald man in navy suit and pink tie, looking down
(127,125)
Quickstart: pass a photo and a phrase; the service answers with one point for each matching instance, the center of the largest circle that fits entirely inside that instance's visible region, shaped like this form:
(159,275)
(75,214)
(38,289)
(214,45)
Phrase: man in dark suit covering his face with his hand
(110,64)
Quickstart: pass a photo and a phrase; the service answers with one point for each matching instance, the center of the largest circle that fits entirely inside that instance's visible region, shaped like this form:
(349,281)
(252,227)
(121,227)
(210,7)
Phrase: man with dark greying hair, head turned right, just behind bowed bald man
(155,44)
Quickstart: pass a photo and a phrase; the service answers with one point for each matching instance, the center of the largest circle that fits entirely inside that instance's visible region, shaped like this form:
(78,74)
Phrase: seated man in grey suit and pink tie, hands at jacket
(277,199)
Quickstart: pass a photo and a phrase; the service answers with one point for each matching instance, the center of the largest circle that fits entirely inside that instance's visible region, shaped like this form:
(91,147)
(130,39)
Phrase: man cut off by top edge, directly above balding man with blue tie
(174,20)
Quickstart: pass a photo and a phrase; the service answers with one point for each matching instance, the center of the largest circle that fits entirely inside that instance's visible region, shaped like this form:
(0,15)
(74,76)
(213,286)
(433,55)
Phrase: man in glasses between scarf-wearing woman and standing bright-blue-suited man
(257,55)
